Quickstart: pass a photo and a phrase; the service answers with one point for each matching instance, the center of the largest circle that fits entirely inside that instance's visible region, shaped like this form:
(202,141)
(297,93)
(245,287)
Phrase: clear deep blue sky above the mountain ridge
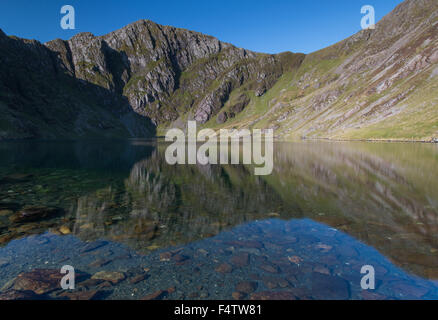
(270,26)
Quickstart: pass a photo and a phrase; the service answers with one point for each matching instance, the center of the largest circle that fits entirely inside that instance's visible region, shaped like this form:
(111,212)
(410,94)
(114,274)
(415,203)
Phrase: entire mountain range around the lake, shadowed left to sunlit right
(145,78)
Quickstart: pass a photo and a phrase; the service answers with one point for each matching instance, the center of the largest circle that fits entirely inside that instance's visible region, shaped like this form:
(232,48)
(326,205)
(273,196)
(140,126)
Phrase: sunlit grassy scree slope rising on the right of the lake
(377,84)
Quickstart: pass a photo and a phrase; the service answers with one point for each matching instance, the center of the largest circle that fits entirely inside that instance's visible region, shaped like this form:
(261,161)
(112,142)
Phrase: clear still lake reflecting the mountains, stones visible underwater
(134,227)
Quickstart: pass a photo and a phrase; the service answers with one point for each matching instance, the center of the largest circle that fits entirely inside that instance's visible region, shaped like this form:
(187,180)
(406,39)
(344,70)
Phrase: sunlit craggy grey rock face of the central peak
(165,72)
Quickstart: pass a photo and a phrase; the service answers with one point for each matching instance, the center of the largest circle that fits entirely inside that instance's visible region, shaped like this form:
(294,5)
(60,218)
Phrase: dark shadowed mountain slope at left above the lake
(41,98)
